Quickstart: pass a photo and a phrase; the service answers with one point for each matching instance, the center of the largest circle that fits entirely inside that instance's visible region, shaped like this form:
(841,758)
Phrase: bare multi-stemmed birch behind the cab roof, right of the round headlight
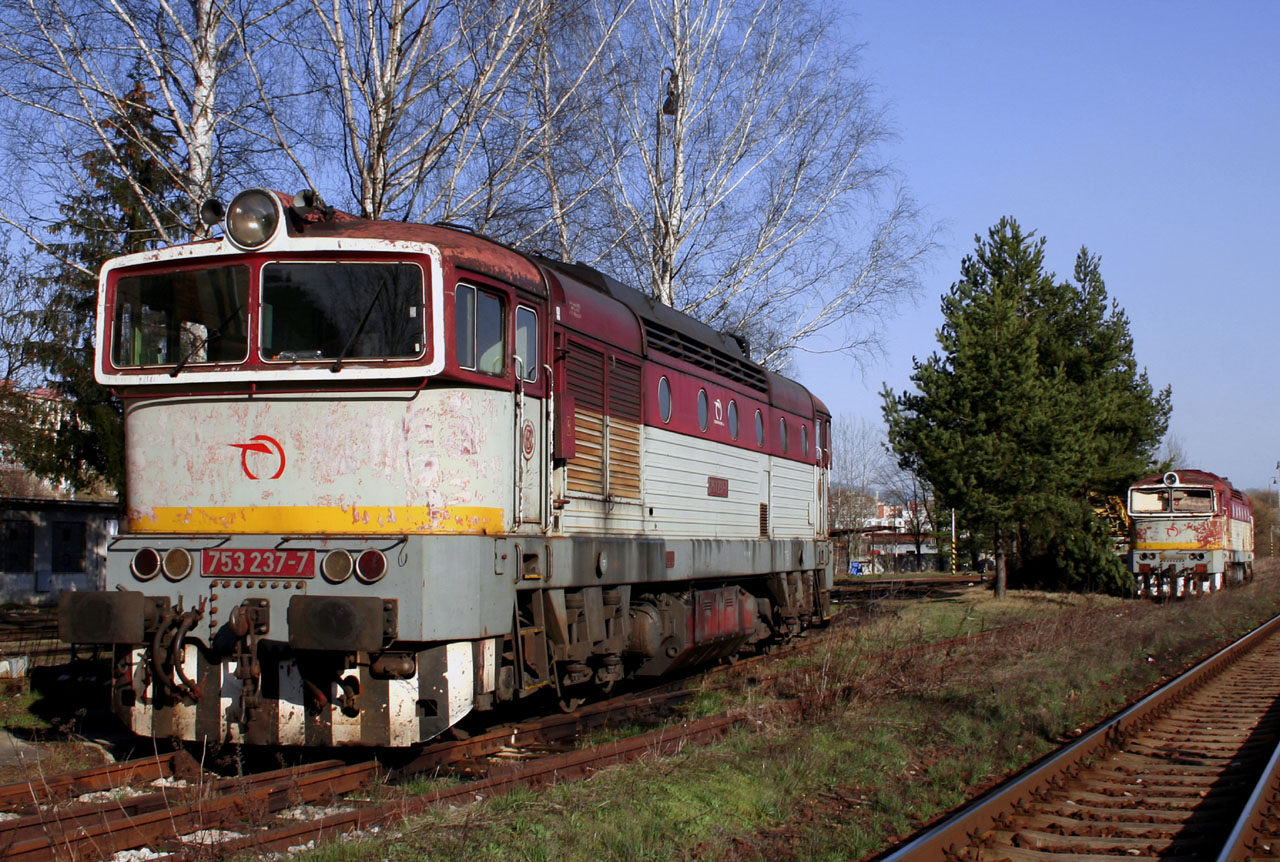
(418,89)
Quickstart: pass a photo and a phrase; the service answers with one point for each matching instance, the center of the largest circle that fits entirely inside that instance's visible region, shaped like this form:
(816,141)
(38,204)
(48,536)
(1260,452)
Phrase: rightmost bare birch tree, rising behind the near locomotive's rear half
(746,177)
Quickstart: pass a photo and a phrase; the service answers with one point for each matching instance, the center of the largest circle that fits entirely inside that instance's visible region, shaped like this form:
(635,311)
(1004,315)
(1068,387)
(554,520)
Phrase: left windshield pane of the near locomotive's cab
(181,317)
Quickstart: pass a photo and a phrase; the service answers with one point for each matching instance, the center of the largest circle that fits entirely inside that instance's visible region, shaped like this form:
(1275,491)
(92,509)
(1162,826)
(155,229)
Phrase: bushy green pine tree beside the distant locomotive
(1034,403)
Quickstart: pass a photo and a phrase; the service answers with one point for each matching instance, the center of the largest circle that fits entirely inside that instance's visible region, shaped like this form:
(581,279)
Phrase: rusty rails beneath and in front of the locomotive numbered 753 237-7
(170,808)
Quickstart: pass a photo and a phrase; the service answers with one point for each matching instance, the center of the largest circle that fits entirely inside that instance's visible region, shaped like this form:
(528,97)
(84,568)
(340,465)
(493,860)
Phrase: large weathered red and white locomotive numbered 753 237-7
(385,475)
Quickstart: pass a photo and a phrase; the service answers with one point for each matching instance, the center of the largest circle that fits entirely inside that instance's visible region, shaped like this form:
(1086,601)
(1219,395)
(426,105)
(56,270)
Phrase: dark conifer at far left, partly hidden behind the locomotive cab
(83,445)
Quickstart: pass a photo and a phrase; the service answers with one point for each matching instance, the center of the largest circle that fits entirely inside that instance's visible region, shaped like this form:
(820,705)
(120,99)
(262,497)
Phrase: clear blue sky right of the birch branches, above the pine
(1149,133)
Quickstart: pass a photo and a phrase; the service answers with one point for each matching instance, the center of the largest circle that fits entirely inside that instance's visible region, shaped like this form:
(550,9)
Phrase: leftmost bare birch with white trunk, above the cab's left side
(67,69)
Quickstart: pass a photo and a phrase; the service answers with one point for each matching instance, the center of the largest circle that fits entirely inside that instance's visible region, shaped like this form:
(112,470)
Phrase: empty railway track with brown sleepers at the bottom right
(1188,773)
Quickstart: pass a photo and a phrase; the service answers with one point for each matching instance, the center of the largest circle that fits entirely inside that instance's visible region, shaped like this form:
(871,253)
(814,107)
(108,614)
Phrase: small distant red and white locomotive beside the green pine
(1190,532)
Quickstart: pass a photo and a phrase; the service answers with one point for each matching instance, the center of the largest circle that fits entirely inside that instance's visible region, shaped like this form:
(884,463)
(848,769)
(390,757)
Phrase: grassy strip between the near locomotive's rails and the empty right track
(885,738)
